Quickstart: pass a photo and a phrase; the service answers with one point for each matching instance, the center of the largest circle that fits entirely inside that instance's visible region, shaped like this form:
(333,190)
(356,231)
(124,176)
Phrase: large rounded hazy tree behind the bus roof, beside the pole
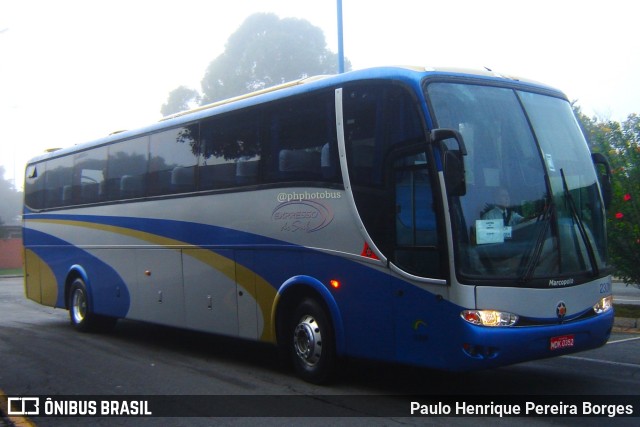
(266,51)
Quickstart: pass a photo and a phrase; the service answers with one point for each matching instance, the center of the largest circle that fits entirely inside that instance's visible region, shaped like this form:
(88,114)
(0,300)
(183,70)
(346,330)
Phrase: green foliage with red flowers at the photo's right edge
(620,143)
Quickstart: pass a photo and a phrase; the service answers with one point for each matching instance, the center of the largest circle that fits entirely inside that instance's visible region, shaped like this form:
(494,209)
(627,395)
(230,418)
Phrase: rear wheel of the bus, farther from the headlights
(80,315)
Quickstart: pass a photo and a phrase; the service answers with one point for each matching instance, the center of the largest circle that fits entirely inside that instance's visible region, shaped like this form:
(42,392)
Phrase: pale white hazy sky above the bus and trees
(77,70)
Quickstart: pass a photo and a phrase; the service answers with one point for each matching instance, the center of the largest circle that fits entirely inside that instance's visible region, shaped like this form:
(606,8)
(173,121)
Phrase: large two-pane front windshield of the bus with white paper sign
(532,212)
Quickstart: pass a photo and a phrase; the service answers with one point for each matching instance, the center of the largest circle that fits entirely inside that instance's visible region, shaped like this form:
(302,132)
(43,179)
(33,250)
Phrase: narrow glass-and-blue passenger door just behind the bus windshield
(417,255)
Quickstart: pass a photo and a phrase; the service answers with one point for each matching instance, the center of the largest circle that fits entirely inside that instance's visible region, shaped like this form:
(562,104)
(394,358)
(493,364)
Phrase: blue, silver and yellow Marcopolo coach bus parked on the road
(347,216)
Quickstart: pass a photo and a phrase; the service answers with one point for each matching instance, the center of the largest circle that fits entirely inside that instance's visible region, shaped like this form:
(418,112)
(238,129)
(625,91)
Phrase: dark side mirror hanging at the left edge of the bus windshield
(452,160)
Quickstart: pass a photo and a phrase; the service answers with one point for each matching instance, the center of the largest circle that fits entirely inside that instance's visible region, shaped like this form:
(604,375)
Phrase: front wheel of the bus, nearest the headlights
(312,341)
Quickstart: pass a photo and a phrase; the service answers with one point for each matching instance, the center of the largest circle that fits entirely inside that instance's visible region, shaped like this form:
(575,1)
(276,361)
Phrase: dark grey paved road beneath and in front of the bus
(42,355)
